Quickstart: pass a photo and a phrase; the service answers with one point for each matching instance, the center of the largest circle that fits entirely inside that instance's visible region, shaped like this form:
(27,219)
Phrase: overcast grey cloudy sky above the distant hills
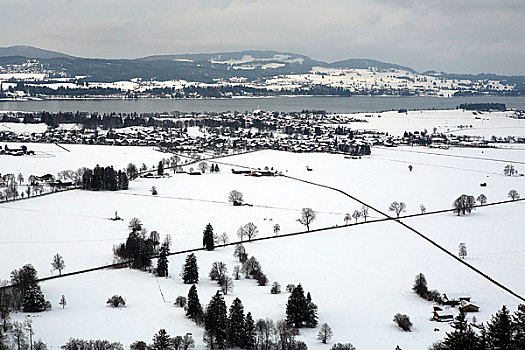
(450,35)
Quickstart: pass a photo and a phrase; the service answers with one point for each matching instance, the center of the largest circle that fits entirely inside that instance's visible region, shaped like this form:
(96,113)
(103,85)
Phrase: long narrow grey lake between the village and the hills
(332,104)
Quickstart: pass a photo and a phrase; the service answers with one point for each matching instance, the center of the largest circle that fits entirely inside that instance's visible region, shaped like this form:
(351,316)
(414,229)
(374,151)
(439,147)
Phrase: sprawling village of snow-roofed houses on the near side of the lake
(295,132)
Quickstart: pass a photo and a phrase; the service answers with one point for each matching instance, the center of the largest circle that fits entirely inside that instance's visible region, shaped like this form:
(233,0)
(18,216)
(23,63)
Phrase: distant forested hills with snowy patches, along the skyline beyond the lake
(200,67)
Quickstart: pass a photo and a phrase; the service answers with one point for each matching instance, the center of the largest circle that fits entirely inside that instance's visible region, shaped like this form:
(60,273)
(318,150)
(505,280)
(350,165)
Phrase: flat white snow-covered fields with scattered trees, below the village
(359,276)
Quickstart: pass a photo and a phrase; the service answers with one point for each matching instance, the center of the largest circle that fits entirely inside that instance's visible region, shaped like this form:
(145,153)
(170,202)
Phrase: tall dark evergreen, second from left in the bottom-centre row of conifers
(216,321)
